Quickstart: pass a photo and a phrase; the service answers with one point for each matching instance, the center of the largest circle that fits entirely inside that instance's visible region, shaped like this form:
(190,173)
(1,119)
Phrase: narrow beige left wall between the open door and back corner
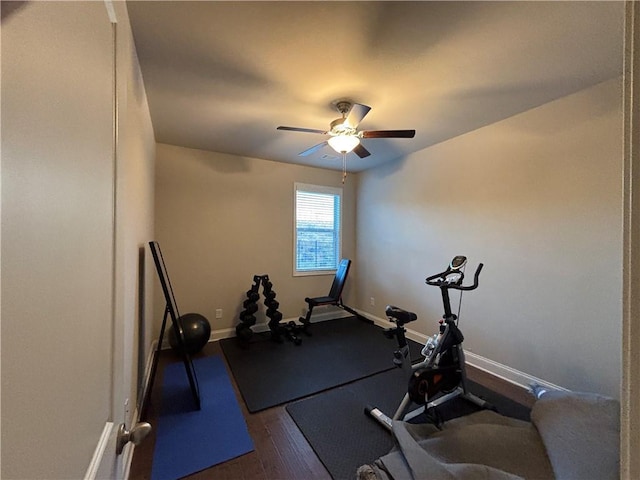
(136,172)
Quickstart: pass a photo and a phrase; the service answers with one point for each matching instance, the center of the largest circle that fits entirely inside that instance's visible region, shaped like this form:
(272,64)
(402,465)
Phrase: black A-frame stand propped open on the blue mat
(171,310)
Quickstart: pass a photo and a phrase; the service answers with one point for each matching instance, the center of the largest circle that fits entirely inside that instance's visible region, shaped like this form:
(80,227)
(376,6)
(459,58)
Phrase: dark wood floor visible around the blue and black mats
(281,451)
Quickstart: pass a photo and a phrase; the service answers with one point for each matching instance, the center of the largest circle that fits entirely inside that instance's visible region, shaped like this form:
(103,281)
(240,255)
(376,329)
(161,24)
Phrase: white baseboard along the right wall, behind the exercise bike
(496,369)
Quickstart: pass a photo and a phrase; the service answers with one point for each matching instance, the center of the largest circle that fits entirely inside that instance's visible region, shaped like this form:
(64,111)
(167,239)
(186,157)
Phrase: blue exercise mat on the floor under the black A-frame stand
(189,440)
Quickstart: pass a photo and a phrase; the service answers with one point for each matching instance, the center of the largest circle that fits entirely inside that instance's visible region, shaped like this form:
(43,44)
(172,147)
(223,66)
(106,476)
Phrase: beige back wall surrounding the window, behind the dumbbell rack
(221,219)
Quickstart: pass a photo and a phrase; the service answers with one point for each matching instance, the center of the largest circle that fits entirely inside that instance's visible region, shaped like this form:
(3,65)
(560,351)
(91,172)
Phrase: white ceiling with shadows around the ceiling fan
(221,76)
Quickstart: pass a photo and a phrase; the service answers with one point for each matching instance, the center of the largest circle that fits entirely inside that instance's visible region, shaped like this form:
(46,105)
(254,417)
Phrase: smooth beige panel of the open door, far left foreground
(57,199)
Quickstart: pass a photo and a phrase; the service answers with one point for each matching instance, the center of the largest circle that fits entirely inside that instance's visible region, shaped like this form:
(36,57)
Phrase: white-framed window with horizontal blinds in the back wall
(317,233)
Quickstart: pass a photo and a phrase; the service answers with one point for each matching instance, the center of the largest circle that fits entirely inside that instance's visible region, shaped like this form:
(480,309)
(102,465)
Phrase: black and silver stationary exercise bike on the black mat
(441,376)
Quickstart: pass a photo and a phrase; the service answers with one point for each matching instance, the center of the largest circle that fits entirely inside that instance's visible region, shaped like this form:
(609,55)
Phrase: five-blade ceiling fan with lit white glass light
(344,136)
